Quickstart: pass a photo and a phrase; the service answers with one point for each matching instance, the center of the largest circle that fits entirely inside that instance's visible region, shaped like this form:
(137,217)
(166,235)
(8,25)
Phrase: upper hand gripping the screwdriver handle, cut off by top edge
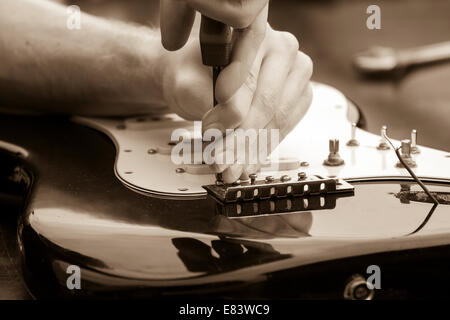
(248,18)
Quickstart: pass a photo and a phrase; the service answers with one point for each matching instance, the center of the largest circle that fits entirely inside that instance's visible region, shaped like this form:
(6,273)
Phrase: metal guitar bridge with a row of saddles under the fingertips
(277,189)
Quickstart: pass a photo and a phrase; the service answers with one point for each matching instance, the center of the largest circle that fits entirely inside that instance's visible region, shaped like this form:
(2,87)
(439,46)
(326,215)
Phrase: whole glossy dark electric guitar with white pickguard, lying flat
(104,196)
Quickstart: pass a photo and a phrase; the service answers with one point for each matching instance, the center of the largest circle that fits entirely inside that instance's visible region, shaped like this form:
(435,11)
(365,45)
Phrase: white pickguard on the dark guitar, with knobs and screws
(309,141)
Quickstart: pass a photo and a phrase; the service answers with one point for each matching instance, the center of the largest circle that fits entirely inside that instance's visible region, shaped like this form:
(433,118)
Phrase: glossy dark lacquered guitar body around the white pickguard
(132,241)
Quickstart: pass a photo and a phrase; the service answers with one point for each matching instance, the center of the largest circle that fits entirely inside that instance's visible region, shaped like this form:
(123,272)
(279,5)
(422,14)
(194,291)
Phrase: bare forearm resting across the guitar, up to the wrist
(105,67)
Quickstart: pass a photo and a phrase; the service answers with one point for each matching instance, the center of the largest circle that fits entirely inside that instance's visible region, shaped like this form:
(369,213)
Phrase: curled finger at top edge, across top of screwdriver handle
(236,13)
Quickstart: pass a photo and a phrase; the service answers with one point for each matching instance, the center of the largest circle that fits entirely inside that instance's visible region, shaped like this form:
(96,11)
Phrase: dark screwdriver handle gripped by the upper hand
(216,40)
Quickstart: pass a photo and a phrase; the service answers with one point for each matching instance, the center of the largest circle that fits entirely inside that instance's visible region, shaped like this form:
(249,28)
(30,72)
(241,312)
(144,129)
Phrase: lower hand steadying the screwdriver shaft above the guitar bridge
(275,95)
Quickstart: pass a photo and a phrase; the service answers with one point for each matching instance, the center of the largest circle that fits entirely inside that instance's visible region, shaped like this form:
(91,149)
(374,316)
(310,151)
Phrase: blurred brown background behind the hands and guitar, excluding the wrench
(331,32)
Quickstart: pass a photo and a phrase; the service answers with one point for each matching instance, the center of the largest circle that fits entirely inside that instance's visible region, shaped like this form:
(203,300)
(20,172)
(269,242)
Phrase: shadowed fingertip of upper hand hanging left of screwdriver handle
(177,18)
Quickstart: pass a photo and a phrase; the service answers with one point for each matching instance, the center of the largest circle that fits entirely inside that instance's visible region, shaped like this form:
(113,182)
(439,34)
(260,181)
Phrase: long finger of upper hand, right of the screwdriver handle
(246,47)
